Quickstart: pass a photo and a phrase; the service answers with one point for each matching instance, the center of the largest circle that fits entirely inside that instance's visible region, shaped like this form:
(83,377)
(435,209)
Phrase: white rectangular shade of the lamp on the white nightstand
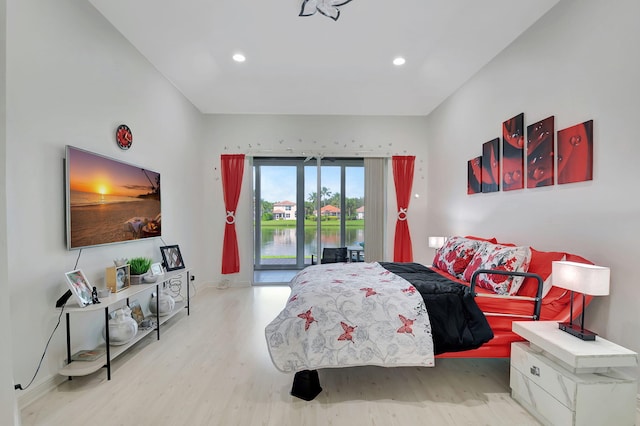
(580,277)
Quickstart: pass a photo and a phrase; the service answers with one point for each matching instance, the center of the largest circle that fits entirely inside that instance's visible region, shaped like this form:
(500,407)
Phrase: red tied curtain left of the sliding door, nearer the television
(232,171)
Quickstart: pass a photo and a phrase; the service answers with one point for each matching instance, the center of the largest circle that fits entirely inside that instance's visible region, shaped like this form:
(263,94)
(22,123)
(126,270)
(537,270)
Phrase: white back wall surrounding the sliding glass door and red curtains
(274,135)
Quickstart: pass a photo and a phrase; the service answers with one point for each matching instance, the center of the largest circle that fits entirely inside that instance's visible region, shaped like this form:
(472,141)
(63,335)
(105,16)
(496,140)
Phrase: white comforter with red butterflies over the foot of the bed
(350,314)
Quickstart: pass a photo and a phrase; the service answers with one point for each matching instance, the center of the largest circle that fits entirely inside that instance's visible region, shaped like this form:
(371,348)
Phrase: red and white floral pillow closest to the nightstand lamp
(503,258)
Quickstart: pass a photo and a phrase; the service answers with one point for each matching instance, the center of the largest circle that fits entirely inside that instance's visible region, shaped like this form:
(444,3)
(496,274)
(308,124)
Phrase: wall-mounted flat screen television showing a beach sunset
(109,201)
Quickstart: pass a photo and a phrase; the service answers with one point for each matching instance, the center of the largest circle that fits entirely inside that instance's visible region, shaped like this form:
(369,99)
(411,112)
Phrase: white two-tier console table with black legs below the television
(83,368)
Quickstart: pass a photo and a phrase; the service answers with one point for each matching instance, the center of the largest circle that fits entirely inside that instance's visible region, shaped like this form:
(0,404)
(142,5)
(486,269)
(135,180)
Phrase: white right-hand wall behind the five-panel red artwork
(579,62)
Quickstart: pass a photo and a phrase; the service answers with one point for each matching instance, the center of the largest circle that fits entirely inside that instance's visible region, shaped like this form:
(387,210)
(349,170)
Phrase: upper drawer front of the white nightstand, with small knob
(544,373)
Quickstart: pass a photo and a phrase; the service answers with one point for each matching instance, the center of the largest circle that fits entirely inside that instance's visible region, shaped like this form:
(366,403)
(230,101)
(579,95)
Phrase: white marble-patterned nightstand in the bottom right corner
(563,380)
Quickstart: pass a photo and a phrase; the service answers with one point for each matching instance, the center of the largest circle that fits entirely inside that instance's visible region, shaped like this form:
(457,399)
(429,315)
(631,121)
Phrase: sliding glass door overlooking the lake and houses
(292,223)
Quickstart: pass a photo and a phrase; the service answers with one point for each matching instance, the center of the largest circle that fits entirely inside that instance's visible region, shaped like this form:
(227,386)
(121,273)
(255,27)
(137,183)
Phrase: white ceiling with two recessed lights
(313,64)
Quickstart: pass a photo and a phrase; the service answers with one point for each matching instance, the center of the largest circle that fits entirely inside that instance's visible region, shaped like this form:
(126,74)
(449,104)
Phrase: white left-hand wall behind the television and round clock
(71,79)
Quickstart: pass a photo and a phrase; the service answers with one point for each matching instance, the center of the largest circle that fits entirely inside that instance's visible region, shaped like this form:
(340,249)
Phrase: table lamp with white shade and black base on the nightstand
(582,278)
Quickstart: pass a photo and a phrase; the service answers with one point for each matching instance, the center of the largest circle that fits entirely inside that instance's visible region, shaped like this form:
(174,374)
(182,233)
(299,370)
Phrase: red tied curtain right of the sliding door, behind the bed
(403,178)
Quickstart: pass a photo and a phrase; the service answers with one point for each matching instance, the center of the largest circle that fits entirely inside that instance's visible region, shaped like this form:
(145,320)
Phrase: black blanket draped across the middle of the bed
(457,323)
